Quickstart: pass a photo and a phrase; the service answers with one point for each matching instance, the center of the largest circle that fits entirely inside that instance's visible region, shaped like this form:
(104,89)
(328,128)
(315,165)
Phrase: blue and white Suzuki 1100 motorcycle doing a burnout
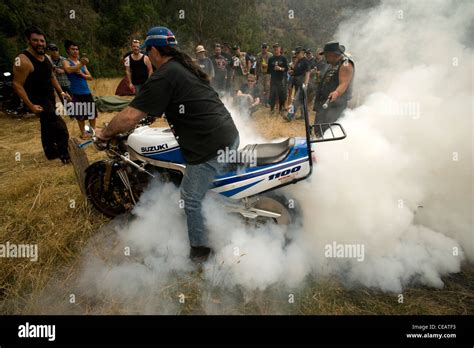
(114,185)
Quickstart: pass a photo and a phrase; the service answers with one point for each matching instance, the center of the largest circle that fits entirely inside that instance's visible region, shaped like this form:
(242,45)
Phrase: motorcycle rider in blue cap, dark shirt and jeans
(199,120)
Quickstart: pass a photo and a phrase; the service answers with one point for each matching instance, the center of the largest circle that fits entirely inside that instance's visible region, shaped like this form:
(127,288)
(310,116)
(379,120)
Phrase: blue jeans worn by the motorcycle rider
(196,182)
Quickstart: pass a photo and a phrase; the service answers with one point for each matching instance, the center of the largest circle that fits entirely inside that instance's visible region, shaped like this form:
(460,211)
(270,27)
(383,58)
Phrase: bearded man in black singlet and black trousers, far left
(34,82)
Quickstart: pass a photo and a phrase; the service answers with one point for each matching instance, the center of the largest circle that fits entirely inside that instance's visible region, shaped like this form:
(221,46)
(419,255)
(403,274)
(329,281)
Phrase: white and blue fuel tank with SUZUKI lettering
(156,143)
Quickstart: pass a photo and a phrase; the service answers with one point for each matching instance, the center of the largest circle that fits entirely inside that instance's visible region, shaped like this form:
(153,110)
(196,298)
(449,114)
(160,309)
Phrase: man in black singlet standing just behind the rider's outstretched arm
(137,67)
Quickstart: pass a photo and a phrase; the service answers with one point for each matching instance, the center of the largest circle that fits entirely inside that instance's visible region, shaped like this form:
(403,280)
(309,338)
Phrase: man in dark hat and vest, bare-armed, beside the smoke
(335,89)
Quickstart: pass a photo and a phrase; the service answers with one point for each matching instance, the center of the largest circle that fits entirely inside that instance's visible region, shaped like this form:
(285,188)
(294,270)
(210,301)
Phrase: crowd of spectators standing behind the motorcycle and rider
(272,78)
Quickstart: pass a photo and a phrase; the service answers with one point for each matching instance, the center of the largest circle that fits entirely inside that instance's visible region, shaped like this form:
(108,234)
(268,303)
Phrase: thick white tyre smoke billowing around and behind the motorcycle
(400,184)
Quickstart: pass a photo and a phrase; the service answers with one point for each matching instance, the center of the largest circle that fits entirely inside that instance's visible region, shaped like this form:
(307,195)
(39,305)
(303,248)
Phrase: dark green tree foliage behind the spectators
(104,28)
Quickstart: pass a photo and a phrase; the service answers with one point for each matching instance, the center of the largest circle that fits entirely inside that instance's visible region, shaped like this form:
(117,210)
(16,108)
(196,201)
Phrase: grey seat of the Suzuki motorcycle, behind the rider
(269,153)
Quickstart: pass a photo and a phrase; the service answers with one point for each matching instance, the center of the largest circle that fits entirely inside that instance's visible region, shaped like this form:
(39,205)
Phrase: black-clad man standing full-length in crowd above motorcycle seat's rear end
(277,68)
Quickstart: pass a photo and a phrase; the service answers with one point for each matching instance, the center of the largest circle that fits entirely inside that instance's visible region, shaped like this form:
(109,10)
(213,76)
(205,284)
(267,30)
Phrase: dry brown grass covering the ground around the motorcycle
(35,199)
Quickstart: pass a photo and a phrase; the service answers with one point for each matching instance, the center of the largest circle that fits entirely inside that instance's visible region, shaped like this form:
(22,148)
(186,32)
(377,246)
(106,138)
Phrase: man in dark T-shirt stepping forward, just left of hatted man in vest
(300,73)
